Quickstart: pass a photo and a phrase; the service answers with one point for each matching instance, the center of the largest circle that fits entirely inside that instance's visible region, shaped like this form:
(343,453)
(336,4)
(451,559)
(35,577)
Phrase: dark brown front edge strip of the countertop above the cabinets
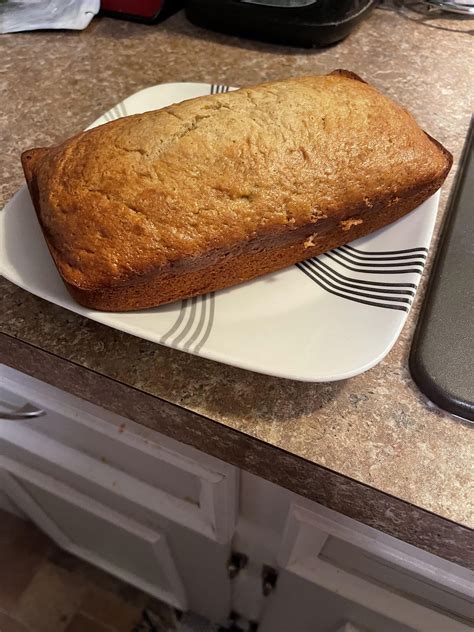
(354,499)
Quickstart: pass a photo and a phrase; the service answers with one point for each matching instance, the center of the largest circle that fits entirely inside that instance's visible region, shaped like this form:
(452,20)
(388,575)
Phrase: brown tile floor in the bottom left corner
(44,589)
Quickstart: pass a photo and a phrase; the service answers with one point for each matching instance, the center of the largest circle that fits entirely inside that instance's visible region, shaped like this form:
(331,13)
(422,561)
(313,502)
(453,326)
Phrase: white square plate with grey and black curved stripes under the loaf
(328,318)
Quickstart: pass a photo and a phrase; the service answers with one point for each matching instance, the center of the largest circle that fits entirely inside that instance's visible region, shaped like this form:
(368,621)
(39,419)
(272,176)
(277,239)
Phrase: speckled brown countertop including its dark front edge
(371,447)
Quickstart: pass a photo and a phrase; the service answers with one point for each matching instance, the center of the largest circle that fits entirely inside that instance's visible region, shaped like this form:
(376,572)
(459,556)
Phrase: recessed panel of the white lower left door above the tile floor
(90,530)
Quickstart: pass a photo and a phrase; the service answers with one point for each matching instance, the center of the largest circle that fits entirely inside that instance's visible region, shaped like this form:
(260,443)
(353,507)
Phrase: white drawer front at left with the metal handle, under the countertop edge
(188,486)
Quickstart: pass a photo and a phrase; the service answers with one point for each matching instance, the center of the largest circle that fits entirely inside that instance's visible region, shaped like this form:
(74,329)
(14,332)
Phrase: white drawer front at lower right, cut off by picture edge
(416,586)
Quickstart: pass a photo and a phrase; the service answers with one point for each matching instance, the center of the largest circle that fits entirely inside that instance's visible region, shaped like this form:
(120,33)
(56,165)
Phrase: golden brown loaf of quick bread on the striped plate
(220,189)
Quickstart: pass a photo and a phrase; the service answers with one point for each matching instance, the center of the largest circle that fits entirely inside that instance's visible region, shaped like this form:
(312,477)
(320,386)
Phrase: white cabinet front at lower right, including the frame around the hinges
(334,572)
